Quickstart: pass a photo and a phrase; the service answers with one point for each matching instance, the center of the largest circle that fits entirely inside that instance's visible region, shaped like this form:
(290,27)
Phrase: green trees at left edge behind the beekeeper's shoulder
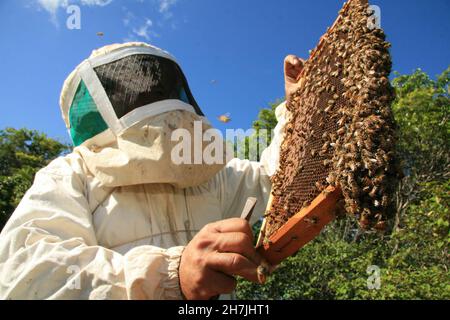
(22,153)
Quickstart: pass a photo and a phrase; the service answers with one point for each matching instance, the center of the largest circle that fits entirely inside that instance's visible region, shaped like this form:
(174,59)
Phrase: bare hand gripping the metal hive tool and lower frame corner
(220,251)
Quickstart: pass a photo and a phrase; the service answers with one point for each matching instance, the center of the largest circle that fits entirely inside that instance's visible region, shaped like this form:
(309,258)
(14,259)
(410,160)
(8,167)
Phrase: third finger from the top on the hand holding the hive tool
(233,264)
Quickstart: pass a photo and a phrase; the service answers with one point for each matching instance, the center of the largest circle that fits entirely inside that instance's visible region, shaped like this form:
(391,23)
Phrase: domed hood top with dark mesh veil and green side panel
(107,88)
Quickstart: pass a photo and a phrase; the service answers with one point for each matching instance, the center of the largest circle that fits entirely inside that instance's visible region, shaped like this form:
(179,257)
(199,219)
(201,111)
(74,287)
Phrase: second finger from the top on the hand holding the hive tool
(238,242)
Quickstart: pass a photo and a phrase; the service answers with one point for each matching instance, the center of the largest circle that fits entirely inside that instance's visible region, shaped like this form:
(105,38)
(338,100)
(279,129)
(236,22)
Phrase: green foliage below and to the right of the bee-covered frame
(413,257)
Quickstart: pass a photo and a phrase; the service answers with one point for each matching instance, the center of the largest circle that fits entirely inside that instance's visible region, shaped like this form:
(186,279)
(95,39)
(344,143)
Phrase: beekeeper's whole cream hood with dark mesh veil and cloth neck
(122,105)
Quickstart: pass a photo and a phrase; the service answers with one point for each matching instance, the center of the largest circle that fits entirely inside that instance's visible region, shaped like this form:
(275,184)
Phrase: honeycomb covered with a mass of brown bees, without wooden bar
(342,131)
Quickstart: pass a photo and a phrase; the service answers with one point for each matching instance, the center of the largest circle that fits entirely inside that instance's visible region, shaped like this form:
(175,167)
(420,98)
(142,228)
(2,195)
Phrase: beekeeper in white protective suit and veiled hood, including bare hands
(117,218)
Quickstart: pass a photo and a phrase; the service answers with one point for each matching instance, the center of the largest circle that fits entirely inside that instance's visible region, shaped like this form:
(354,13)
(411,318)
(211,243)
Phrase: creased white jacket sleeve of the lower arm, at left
(49,250)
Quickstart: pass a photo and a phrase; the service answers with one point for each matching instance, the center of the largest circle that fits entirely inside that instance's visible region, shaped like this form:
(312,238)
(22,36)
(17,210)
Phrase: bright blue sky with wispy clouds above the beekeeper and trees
(230,50)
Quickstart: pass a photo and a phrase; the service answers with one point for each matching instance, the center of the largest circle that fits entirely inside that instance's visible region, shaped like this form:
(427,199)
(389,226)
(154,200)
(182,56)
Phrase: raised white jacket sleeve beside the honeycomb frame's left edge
(243,178)
